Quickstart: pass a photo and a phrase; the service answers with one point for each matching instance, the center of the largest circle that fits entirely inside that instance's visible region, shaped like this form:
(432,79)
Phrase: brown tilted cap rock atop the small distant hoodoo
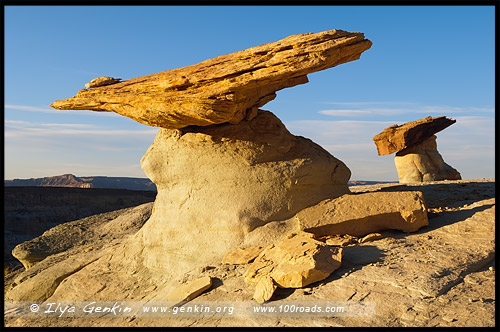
(398,137)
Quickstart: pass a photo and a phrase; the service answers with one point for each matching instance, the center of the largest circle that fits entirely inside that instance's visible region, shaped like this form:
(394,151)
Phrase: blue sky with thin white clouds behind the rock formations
(425,60)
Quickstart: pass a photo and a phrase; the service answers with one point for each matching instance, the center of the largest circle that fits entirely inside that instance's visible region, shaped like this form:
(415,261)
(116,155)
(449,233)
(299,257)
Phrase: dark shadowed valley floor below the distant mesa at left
(30,211)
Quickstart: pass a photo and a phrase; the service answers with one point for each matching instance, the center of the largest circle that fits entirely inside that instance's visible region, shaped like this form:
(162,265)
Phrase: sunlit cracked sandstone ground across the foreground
(443,275)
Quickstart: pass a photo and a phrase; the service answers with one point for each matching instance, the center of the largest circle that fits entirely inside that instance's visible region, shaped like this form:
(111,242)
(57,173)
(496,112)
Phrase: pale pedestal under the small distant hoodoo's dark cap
(423,163)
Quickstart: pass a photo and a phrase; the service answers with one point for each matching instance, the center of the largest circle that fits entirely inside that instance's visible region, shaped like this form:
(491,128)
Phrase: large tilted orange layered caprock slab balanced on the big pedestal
(227,88)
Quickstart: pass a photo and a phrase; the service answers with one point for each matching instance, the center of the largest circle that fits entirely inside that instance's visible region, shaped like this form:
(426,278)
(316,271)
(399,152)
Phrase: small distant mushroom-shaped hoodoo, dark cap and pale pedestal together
(417,158)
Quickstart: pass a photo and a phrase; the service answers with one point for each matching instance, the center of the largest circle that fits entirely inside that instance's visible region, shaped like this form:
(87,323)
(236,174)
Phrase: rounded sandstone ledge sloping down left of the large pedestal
(67,248)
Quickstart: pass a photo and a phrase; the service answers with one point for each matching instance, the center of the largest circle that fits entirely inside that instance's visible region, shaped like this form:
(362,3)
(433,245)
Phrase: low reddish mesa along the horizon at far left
(70,180)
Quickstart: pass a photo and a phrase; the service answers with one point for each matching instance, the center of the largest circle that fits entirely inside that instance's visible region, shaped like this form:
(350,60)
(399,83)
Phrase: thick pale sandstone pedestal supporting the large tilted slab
(216,184)
